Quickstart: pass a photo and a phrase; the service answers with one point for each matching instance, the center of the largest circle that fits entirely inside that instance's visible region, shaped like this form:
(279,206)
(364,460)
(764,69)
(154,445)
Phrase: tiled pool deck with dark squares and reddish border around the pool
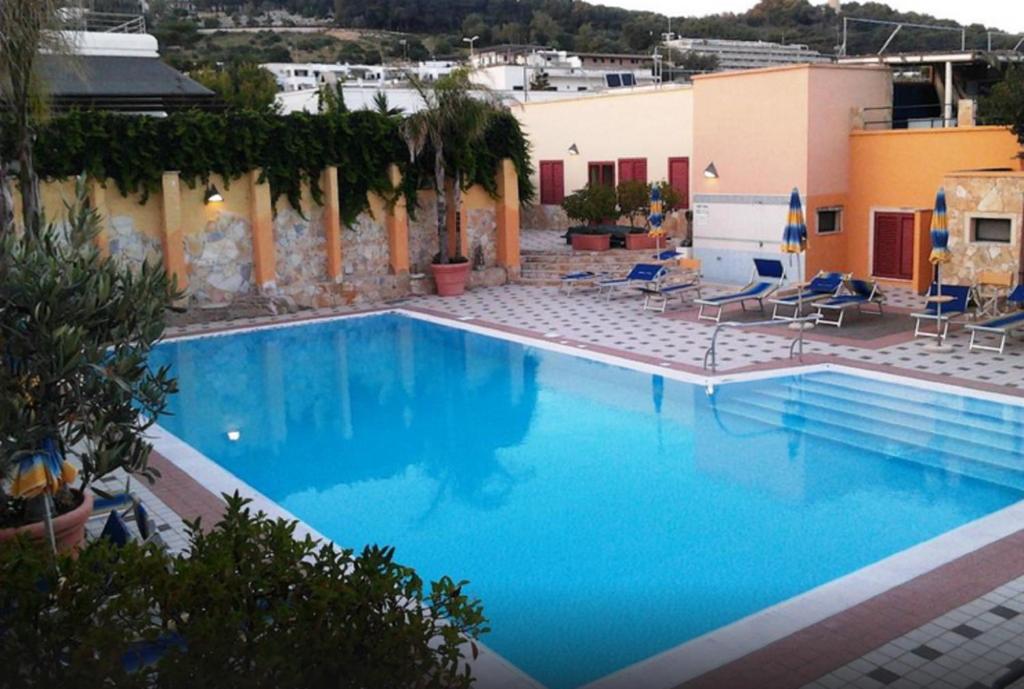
(961,625)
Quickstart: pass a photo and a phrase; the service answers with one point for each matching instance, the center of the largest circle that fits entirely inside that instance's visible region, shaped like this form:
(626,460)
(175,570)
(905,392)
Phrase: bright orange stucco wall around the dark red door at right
(901,170)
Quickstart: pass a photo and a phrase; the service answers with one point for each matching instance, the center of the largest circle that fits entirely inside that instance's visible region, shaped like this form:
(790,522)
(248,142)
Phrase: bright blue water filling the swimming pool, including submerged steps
(602,514)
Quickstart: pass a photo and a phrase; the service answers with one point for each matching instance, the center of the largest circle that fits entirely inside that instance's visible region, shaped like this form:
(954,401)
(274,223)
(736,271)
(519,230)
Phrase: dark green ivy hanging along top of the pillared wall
(135,152)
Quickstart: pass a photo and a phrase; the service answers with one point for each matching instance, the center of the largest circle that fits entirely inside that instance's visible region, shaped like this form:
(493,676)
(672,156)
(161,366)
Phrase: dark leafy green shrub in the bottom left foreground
(247,606)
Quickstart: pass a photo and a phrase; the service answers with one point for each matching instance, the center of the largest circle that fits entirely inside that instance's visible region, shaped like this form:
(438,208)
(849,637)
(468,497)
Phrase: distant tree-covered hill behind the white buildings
(417,29)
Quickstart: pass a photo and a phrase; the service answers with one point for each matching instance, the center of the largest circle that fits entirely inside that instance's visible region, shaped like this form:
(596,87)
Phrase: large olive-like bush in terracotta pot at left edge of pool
(75,387)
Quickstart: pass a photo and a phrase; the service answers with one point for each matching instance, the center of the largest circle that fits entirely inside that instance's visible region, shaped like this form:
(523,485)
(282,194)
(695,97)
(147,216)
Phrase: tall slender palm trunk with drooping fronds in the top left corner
(27,27)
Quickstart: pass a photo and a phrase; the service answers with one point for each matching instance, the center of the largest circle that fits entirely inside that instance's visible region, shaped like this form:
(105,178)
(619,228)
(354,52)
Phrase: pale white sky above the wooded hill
(1005,15)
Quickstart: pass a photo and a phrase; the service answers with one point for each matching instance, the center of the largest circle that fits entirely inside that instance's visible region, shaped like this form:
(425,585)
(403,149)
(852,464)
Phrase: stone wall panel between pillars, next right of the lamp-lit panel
(302,261)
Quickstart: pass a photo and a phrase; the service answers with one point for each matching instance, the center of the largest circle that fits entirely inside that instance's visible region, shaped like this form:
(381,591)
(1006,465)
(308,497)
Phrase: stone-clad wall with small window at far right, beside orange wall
(984,196)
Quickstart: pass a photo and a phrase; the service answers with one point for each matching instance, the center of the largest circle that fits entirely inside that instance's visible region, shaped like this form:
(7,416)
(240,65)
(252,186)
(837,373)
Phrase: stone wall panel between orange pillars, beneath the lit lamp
(220,260)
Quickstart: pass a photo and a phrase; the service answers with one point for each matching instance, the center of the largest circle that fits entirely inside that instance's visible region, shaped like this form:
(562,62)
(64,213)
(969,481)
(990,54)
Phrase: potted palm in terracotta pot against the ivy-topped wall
(447,131)
